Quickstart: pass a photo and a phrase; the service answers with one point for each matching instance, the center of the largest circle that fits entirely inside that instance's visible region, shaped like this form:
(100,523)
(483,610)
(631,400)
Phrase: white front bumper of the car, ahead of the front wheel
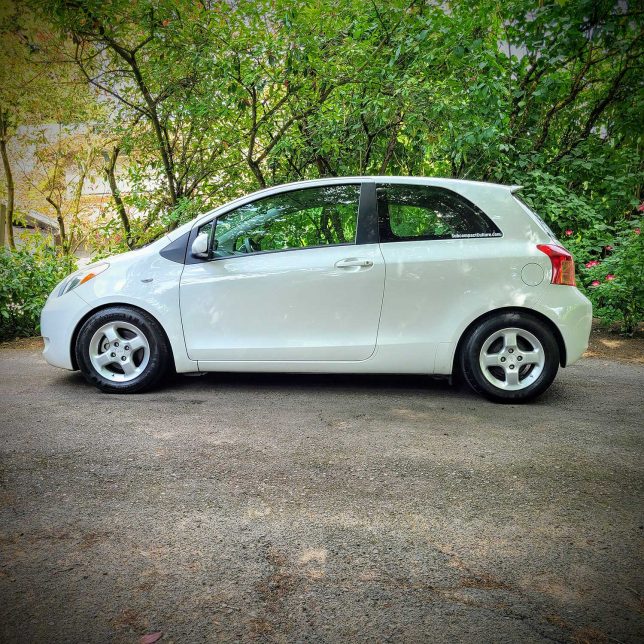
(57,323)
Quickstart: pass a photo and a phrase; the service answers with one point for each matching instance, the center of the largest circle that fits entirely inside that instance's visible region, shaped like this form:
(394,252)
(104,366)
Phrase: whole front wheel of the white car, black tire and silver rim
(151,361)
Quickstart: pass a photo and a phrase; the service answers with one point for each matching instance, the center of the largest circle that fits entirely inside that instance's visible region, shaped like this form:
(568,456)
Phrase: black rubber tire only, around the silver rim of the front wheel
(158,360)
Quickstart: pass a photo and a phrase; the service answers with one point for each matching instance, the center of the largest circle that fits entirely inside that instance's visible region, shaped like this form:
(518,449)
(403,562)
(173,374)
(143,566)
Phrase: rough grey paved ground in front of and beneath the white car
(321,509)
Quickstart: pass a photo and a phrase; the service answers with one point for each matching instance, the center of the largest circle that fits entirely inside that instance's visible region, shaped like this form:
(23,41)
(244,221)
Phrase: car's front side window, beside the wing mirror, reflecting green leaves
(298,219)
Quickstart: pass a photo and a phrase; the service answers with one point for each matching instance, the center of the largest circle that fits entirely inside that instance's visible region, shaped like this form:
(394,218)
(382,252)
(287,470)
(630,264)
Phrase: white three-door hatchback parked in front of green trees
(344,275)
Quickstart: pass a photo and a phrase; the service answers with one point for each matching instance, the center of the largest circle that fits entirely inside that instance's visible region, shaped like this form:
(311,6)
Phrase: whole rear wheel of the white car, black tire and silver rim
(491,381)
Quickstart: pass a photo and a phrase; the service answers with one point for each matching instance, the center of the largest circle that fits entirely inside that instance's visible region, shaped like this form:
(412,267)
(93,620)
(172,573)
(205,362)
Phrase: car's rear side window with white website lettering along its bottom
(409,212)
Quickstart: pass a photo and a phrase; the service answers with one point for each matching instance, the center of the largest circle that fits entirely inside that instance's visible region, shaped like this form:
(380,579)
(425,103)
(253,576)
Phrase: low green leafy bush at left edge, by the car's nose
(27,276)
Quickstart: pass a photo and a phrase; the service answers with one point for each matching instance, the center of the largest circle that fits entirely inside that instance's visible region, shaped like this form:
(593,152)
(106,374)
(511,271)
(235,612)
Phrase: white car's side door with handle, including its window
(289,280)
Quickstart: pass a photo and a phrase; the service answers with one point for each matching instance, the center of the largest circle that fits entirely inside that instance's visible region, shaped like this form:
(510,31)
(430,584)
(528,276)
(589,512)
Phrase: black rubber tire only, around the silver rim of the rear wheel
(471,368)
